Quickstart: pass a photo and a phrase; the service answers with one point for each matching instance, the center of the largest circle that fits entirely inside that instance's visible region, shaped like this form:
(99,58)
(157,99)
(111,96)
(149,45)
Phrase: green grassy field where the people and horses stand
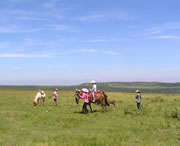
(23,124)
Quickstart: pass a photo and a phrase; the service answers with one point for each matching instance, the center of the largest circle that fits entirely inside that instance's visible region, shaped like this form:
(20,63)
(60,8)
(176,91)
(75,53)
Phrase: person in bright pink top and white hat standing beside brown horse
(86,100)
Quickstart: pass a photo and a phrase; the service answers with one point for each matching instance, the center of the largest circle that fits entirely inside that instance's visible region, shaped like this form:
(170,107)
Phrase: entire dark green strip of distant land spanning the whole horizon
(130,87)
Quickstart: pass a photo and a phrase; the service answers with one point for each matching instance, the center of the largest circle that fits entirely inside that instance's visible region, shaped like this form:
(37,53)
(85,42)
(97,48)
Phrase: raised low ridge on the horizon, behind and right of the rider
(146,87)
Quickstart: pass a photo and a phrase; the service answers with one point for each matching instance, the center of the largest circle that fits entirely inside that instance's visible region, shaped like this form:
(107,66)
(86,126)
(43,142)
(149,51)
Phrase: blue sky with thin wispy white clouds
(67,42)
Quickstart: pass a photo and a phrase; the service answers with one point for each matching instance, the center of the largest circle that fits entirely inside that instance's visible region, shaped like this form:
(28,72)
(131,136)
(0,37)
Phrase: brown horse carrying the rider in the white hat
(100,97)
